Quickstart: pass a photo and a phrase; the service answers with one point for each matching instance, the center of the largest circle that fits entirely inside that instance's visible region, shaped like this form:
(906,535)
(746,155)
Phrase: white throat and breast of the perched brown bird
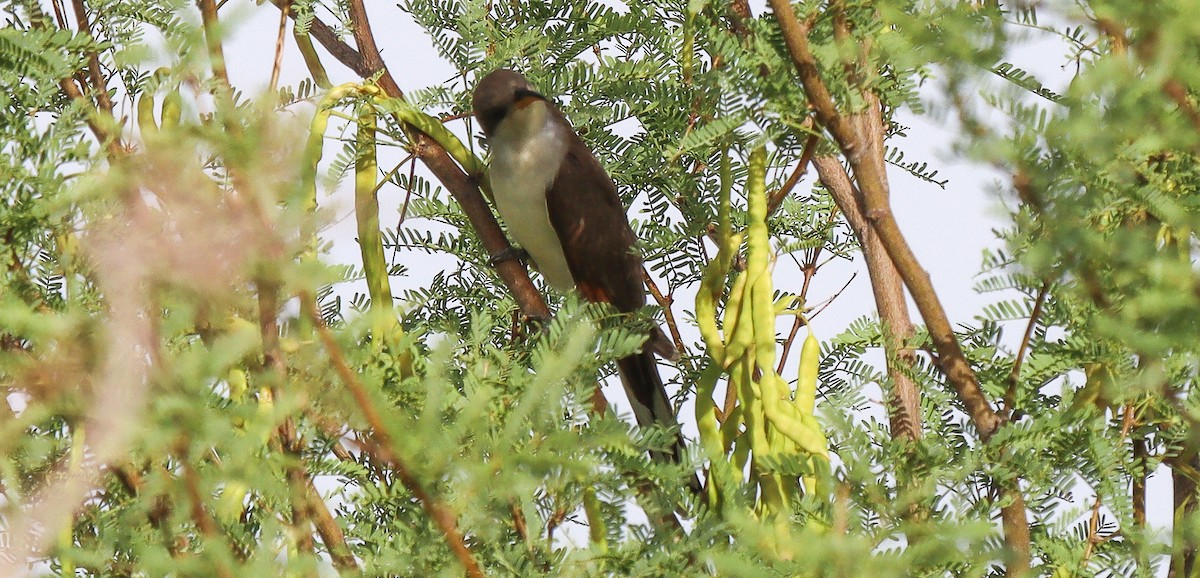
(527,152)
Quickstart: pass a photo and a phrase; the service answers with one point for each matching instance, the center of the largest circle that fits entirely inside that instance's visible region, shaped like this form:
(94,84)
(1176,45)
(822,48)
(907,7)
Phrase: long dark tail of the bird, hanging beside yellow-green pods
(644,387)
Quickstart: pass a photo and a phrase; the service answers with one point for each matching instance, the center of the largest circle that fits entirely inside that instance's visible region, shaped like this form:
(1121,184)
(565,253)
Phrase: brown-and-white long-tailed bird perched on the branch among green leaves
(562,208)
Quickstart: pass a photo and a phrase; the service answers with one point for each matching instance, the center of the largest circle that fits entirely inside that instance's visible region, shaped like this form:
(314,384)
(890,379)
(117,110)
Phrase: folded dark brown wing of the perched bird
(592,226)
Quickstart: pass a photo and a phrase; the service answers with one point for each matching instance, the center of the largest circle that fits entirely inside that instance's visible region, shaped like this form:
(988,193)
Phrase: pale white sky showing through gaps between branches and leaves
(947,230)
